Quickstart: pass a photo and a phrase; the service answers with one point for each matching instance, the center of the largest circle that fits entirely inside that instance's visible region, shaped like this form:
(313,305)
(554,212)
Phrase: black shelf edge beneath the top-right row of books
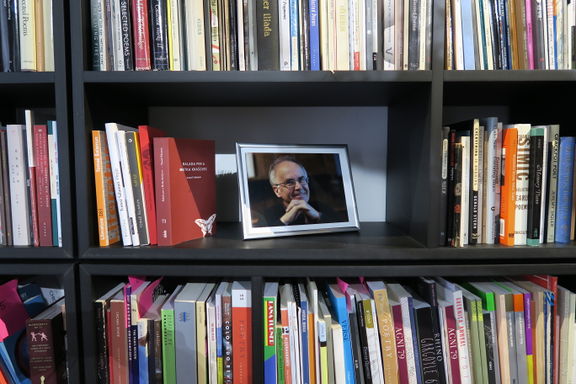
(510,76)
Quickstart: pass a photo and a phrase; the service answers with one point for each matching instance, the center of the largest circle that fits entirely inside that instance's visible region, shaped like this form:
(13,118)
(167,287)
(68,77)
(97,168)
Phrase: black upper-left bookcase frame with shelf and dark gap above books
(46,90)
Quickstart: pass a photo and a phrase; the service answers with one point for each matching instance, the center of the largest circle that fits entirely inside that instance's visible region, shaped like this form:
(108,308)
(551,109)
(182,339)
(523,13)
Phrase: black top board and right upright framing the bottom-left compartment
(64,276)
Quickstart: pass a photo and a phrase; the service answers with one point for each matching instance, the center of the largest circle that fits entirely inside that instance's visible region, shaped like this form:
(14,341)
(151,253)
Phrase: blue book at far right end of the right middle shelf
(564,193)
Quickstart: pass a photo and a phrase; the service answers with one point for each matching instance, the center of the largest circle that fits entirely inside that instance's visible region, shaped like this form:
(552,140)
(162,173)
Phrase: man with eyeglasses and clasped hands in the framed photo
(290,183)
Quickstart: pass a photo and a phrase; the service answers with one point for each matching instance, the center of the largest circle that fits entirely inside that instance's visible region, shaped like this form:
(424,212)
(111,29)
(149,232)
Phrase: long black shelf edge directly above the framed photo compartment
(255,76)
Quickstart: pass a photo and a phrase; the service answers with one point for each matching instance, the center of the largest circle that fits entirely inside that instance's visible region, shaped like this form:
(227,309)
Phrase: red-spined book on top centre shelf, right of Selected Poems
(141,36)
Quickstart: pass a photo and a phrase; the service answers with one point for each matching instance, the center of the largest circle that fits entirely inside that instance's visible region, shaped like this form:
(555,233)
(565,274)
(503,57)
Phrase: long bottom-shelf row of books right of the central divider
(419,330)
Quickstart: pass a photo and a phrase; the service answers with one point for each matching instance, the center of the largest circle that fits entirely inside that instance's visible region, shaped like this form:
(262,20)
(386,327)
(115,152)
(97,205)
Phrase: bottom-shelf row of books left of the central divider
(194,333)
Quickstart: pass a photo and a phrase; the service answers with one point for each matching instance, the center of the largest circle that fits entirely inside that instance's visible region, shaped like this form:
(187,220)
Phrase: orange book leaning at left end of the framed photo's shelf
(108,226)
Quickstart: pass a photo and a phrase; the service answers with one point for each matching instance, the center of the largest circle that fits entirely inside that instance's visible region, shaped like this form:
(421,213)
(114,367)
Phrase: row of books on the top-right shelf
(510,34)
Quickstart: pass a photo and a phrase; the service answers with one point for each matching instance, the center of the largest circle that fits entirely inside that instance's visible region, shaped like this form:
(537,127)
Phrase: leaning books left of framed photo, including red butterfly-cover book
(151,189)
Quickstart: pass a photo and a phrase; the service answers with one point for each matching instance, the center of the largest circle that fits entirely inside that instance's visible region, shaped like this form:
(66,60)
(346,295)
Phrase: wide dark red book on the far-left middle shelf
(43,196)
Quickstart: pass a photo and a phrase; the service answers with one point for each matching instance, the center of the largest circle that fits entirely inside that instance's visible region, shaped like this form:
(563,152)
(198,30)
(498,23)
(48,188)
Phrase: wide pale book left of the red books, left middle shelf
(17,172)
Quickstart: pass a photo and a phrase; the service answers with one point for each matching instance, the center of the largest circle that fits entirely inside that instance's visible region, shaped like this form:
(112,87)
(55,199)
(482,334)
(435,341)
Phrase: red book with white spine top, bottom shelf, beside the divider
(242,332)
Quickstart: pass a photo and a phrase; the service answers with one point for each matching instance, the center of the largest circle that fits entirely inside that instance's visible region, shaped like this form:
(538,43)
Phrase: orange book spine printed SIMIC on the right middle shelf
(508,188)
